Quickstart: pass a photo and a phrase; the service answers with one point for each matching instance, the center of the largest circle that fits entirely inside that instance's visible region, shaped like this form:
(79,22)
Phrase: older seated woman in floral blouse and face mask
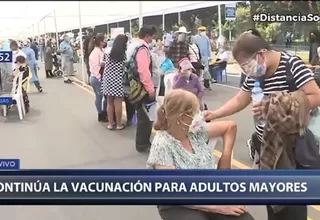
(181,143)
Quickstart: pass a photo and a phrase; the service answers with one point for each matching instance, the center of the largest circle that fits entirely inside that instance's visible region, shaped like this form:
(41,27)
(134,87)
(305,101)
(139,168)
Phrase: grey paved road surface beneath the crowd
(61,132)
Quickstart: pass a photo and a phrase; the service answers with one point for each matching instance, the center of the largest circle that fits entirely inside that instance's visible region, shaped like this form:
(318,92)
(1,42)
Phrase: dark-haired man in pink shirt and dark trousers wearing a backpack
(144,68)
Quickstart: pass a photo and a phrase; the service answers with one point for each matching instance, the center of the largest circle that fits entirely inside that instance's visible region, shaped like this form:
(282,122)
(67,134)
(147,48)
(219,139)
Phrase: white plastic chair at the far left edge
(16,94)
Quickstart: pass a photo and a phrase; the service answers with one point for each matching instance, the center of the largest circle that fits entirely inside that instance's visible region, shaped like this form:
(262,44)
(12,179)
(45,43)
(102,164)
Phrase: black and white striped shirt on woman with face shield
(278,81)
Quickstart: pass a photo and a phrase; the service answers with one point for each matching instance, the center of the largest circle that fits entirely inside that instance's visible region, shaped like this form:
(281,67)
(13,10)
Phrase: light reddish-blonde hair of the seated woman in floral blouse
(176,103)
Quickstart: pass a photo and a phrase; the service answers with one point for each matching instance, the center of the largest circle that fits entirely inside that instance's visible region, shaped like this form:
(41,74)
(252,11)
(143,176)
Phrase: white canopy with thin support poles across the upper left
(38,18)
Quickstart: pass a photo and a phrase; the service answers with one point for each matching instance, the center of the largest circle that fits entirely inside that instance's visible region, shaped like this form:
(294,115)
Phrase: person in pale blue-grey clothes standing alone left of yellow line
(66,59)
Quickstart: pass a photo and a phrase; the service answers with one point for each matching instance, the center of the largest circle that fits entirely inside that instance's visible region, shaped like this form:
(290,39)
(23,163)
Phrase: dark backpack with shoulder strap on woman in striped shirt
(307,152)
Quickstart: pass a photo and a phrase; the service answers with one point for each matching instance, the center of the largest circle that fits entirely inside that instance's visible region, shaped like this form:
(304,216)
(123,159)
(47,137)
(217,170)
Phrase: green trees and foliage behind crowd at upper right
(272,31)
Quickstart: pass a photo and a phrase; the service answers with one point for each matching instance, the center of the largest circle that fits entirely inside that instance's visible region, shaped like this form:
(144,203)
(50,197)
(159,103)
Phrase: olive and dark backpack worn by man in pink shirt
(133,87)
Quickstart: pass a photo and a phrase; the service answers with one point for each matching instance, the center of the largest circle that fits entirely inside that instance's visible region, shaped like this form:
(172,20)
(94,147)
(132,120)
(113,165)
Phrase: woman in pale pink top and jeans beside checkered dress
(95,63)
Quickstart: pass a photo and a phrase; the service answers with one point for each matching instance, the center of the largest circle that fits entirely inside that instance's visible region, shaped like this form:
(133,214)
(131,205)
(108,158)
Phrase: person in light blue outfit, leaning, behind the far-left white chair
(33,64)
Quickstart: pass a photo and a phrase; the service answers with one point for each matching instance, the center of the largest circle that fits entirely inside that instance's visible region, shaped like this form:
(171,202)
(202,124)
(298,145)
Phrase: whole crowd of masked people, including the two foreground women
(174,72)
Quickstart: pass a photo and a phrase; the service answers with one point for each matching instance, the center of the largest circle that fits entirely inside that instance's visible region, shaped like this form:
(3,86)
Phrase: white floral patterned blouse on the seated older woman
(168,151)
